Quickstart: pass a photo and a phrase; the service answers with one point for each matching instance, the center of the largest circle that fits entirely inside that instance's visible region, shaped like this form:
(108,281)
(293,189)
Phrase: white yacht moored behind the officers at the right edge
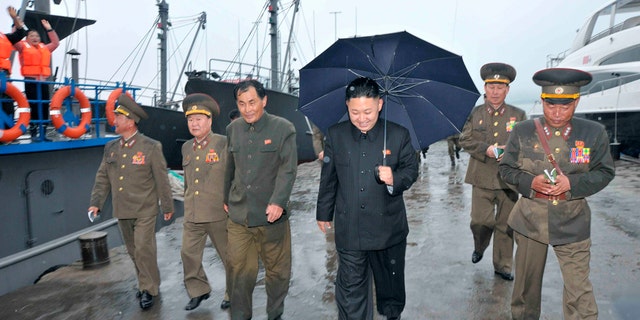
(607,46)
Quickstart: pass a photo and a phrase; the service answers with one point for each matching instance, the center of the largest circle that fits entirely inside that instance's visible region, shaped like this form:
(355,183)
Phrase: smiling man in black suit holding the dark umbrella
(362,193)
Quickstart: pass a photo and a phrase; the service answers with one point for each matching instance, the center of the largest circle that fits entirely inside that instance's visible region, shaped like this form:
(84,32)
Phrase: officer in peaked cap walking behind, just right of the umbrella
(483,137)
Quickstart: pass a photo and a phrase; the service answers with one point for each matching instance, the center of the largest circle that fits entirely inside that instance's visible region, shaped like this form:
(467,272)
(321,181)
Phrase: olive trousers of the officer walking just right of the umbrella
(485,222)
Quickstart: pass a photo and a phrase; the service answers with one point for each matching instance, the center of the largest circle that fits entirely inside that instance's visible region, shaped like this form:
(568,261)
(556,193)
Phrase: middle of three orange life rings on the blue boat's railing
(56,115)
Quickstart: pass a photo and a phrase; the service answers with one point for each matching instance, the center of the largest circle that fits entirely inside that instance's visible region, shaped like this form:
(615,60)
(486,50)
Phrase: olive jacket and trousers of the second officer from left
(204,164)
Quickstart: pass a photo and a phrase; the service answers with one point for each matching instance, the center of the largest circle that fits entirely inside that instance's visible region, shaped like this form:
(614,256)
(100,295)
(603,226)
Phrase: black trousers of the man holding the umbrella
(353,283)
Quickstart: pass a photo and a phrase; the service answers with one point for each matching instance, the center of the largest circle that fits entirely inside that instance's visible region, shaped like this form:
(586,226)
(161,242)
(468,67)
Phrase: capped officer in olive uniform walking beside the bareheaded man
(204,159)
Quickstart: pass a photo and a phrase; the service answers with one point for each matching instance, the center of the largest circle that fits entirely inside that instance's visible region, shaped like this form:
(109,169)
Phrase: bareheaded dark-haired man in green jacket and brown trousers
(261,170)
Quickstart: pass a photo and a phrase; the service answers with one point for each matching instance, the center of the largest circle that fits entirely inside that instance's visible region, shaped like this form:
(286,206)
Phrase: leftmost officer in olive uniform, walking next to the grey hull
(134,171)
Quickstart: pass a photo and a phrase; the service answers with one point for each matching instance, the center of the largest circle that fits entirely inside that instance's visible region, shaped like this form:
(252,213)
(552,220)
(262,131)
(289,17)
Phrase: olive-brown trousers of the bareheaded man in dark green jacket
(272,243)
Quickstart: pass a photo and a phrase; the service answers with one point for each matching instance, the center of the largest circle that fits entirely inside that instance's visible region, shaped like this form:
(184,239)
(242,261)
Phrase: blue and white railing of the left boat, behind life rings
(41,134)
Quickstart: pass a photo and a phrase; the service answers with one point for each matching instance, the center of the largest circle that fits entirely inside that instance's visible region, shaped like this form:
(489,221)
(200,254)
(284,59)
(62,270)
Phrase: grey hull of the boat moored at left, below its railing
(44,208)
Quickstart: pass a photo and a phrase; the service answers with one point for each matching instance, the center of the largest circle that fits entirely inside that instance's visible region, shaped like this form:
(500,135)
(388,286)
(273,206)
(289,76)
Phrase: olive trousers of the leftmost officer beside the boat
(140,239)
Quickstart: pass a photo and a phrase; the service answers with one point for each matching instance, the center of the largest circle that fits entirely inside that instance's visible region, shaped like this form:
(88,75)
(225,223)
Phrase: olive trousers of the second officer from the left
(194,239)
